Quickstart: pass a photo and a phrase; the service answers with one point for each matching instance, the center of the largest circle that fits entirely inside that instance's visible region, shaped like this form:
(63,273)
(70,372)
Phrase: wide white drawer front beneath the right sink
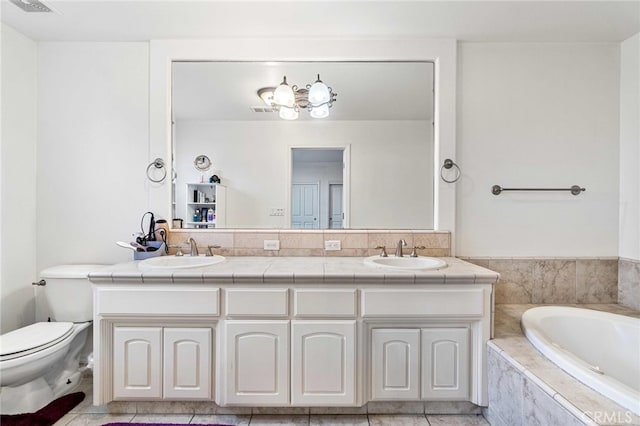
(422,303)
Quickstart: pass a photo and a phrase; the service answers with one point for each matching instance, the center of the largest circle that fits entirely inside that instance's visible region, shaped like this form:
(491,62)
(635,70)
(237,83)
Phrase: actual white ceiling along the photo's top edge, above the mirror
(500,21)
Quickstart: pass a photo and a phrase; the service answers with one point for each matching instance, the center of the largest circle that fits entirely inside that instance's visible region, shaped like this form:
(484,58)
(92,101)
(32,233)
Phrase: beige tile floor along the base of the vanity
(85,414)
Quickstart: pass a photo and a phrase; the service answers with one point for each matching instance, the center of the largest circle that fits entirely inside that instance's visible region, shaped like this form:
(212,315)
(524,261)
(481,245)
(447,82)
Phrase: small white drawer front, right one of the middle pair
(325,303)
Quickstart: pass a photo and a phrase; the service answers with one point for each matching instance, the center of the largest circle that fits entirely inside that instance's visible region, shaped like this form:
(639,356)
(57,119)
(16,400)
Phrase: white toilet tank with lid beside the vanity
(68,292)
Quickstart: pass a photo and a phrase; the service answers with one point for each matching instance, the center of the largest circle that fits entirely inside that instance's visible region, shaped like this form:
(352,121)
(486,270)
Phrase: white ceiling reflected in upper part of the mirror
(365,90)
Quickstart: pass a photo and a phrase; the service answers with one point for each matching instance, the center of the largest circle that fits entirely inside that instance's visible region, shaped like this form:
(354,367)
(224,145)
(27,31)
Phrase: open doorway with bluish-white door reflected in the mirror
(317,193)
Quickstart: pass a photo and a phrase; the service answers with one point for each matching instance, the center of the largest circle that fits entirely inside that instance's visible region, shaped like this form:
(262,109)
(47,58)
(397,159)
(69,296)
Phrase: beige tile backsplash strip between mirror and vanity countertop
(311,242)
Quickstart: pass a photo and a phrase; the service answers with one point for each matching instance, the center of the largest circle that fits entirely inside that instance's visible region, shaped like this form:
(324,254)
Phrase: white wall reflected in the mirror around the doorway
(391,177)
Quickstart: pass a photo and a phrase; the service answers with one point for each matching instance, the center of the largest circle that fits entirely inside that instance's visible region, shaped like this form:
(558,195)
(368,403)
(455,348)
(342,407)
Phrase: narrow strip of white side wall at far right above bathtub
(630,148)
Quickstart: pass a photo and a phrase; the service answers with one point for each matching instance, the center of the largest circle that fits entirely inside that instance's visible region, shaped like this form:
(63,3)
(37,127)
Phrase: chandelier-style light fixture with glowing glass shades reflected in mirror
(316,98)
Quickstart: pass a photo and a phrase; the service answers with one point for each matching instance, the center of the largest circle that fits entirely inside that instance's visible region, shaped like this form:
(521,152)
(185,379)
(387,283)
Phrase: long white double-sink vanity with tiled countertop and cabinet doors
(296,331)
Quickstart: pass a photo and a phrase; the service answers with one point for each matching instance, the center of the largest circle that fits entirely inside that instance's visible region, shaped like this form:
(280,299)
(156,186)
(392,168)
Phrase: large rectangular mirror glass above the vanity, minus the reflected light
(382,119)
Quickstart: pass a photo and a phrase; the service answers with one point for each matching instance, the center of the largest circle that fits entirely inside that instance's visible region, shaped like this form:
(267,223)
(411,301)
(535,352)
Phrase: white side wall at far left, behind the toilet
(18,179)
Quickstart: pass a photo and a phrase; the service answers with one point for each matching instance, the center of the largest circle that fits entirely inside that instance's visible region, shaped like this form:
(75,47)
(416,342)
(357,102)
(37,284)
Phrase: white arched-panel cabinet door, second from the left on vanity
(187,363)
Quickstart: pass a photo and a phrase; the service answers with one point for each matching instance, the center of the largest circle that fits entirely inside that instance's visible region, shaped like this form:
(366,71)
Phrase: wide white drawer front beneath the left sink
(158,301)
